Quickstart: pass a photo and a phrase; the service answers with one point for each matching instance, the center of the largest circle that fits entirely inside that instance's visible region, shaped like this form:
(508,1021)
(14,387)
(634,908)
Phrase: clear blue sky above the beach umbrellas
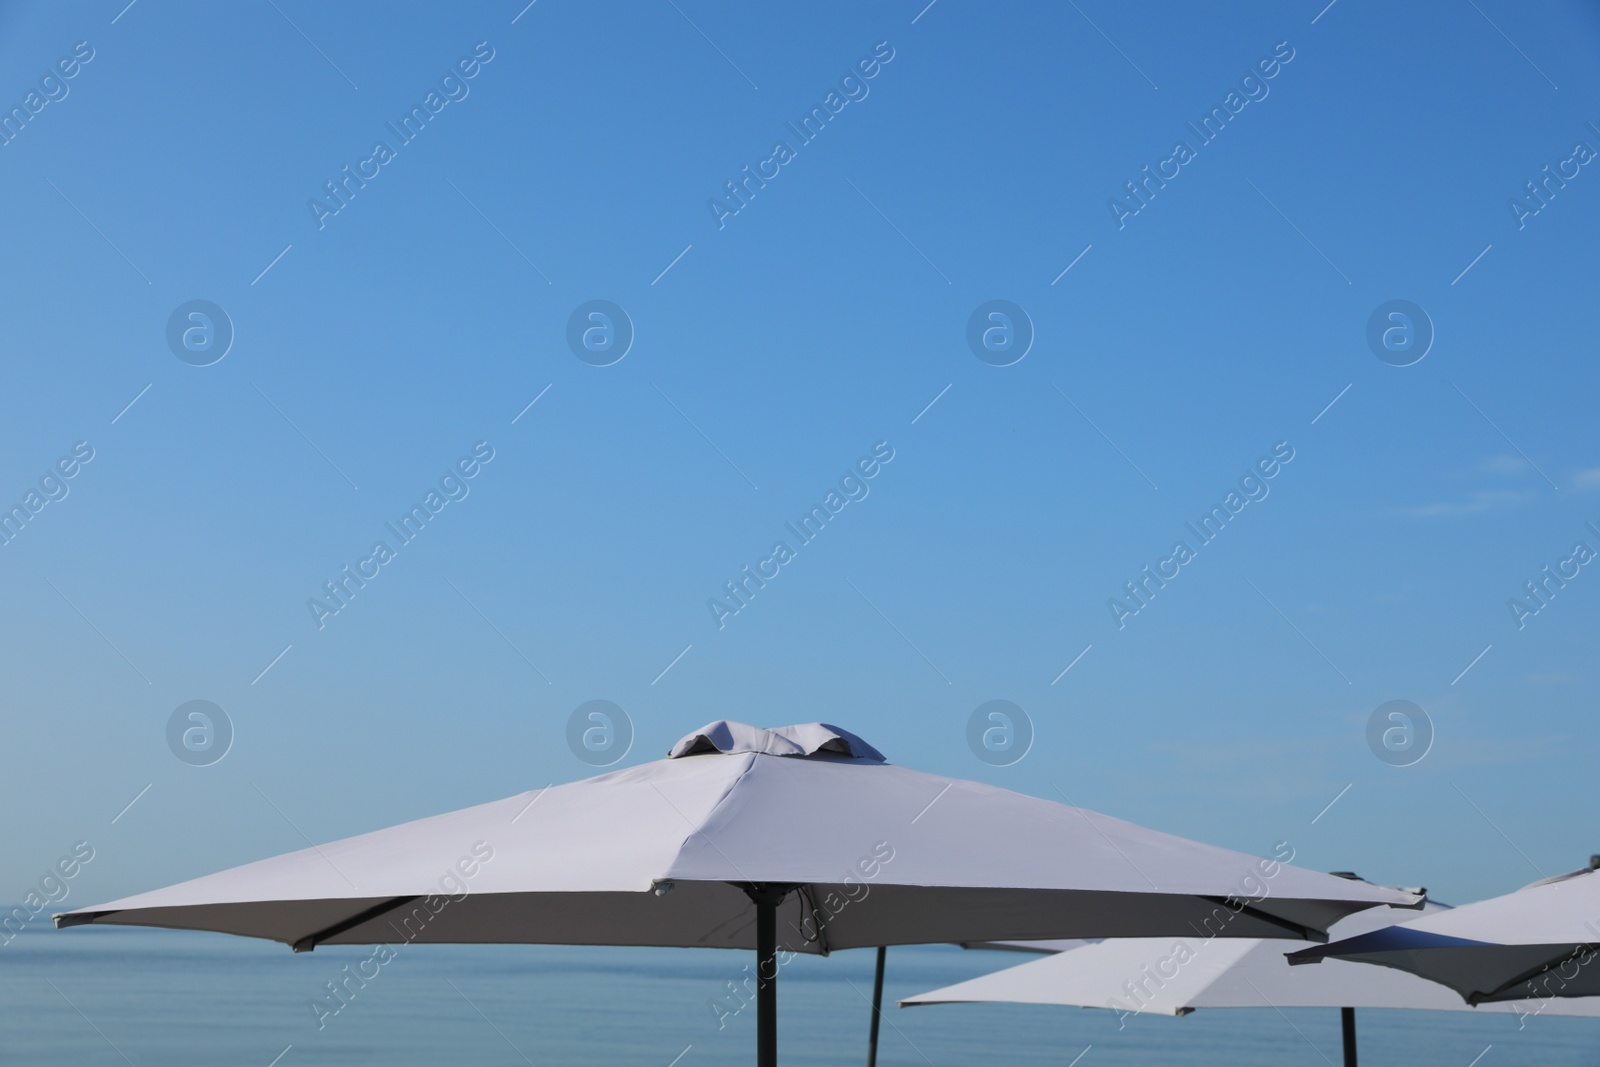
(770,354)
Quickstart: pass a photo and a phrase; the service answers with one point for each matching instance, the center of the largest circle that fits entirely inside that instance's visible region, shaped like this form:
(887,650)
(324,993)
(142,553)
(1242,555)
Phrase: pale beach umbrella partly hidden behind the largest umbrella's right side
(1177,977)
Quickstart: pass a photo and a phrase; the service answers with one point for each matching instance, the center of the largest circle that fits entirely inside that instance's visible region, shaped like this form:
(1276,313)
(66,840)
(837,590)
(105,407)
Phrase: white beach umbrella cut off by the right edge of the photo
(1534,945)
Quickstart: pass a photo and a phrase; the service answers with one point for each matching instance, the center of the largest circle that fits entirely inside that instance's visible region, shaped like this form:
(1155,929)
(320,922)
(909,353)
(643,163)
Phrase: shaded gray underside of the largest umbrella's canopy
(721,916)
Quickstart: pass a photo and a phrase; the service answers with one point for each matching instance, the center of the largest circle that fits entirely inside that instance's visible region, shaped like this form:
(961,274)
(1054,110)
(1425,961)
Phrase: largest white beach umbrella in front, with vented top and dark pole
(793,841)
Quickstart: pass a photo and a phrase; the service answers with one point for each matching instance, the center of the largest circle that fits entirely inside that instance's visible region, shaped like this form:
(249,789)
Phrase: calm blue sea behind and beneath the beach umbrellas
(122,997)
